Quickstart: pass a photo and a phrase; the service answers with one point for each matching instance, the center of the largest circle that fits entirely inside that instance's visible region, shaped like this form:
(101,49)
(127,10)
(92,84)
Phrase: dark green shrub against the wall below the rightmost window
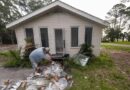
(86,49)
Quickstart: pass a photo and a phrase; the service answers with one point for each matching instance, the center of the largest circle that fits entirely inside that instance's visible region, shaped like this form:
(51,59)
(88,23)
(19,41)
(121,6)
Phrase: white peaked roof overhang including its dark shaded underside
(57,5)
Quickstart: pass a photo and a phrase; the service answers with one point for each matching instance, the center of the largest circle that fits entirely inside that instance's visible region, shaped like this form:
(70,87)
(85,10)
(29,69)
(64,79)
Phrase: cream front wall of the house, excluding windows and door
(63,21)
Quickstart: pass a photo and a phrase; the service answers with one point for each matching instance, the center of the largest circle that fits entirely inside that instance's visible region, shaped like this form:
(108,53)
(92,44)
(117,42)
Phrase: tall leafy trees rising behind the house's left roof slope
(11,10)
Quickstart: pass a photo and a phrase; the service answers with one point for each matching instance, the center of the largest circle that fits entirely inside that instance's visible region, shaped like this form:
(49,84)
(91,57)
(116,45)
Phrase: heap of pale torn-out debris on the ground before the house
(51,77)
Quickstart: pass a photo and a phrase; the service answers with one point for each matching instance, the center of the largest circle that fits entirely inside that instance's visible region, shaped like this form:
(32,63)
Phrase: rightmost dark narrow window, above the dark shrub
(88,35)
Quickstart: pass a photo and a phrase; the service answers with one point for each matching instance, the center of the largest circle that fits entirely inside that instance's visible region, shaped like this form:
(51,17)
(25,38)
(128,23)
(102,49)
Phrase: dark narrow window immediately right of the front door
(74,36)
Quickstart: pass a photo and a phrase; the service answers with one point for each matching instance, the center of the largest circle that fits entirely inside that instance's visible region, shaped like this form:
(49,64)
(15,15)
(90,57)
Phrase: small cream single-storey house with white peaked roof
(60,27)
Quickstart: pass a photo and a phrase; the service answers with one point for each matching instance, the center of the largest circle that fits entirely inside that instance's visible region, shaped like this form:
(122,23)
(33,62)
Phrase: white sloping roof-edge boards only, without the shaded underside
(52,5)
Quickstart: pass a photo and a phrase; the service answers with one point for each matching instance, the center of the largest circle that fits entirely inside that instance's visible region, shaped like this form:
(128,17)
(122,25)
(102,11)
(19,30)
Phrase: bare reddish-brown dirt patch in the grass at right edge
(122,61)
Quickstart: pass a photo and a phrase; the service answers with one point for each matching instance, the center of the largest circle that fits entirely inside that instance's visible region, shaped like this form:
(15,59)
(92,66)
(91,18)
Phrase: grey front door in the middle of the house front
(59,42)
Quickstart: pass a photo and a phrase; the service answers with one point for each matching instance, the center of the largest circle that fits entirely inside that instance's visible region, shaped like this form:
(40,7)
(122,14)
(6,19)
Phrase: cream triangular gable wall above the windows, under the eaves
(57,20)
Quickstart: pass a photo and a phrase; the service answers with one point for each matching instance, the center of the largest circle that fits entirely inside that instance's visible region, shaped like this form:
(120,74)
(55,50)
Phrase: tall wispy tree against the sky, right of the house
(116,19)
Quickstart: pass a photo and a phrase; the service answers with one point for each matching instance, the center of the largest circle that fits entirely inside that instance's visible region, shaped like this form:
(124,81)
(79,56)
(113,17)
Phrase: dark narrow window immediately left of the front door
(44,37)
